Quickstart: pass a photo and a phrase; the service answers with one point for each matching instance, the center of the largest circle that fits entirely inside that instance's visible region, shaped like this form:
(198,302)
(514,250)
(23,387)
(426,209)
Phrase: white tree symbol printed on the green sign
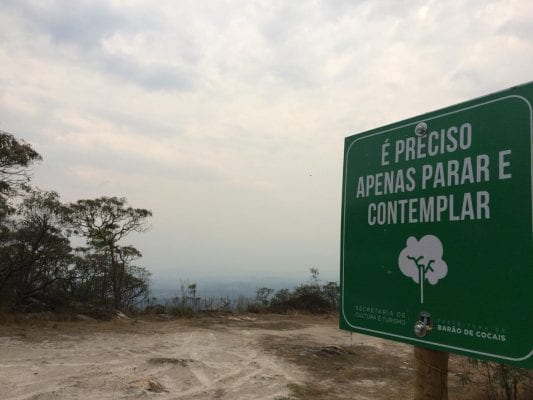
(421,260)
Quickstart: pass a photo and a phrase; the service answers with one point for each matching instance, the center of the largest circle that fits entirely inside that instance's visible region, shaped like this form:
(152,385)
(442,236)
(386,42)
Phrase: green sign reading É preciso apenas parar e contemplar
(437,230)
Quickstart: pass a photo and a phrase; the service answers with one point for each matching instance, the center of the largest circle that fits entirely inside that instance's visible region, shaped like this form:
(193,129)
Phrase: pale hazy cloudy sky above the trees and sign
(227,118)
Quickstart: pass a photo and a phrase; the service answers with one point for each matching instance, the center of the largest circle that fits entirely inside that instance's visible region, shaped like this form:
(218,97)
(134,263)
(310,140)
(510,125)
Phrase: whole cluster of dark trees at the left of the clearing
(39,268)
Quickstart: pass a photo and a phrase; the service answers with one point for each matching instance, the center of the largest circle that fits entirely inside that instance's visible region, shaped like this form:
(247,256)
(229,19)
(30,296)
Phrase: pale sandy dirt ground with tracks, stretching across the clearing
(220,357)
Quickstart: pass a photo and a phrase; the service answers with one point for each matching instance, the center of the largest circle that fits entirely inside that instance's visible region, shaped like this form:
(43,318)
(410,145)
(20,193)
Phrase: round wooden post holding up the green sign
(431,374)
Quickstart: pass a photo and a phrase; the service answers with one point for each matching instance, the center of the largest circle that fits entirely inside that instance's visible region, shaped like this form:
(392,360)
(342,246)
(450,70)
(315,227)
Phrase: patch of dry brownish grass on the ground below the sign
(356,372)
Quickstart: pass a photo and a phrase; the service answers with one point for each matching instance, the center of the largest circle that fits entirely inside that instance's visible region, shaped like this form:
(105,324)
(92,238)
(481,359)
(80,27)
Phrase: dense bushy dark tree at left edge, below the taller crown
(35,253)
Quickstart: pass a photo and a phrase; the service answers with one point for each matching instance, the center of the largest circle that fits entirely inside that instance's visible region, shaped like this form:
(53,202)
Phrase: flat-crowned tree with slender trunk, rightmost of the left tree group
(104,222)
